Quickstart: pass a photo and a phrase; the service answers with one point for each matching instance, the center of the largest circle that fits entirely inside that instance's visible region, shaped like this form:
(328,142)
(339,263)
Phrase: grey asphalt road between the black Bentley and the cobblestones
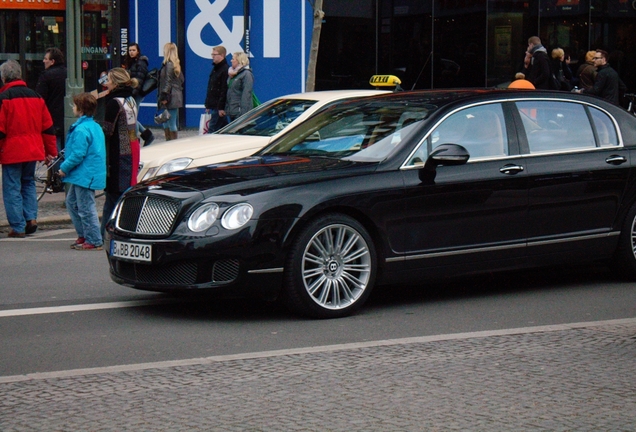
(43,272)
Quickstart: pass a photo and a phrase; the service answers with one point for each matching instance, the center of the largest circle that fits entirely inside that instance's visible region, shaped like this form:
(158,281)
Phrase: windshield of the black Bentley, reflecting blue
(362,131)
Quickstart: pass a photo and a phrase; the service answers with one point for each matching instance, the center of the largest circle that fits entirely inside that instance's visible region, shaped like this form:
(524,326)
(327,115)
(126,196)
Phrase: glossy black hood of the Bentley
(256,173)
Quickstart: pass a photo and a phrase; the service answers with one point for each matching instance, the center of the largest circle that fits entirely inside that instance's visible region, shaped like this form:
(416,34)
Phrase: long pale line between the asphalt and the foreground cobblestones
(310,350)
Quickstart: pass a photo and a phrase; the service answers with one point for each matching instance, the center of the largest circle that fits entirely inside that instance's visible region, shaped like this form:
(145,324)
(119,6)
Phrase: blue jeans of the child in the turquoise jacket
(80,203)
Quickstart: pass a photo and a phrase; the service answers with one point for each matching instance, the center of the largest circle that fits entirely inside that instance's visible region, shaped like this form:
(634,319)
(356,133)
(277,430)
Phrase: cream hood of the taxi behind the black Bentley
(200,146)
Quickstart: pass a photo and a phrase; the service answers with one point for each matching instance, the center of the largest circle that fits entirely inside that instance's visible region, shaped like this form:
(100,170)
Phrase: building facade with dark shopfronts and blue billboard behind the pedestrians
(427,43)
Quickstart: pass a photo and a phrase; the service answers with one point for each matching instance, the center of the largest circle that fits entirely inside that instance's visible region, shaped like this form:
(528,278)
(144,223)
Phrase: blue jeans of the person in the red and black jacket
(18,193)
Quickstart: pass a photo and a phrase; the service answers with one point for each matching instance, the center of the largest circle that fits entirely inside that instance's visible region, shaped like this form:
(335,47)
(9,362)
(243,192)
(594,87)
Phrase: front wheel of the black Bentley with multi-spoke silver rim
(331,268)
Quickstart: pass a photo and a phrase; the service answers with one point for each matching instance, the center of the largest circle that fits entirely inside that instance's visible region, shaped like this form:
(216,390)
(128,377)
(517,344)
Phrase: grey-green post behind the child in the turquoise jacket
(74,77)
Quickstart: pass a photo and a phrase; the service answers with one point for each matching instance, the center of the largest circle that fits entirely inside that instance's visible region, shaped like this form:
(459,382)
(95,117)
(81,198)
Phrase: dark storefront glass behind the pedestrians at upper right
(476,43)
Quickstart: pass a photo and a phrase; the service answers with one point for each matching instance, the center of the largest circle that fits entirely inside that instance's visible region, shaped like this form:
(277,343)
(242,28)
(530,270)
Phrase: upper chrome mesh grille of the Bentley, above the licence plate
(147,215)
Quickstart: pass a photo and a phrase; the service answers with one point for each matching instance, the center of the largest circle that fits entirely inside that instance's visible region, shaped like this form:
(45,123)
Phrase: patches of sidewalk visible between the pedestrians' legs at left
(50,210)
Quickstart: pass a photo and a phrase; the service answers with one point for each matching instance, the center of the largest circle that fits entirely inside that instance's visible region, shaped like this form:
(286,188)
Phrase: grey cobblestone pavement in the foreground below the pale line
(557,378)
